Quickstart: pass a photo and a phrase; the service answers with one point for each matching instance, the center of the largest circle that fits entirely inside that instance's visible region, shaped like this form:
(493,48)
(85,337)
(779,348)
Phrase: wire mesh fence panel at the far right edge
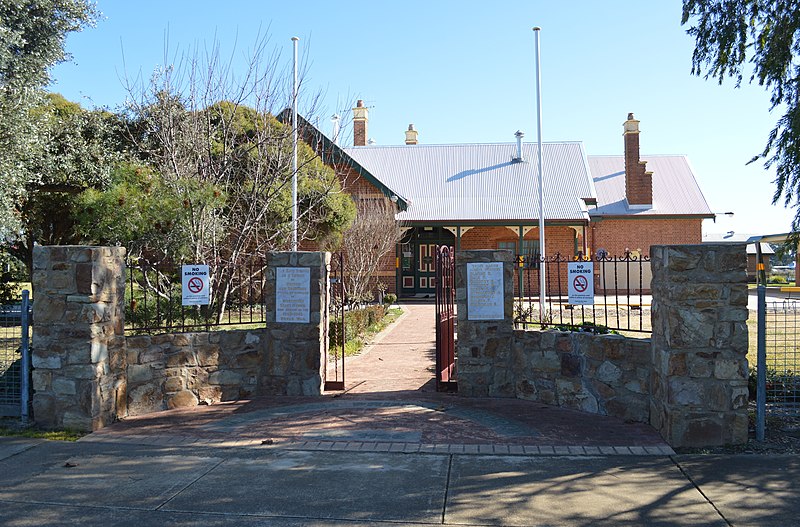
(782,358)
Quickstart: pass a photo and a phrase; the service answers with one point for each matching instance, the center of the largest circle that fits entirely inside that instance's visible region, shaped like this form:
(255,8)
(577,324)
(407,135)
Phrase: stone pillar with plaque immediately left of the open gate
(294,361)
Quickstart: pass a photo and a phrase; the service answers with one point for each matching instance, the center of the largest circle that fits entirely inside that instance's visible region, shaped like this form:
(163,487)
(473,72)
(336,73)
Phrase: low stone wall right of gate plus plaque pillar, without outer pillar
(603,374)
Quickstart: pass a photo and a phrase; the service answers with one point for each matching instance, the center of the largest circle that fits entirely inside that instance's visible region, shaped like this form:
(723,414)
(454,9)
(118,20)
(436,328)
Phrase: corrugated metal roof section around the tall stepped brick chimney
(675,189)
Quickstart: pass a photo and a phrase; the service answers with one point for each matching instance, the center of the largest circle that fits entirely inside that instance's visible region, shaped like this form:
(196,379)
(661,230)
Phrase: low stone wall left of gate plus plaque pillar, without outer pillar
(186,369)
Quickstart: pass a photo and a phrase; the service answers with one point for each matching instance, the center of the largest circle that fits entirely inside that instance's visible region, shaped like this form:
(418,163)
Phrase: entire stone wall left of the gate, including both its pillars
(86,373)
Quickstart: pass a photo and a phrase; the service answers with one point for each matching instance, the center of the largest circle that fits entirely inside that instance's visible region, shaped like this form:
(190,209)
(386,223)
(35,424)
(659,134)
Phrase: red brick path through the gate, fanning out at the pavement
(391,405)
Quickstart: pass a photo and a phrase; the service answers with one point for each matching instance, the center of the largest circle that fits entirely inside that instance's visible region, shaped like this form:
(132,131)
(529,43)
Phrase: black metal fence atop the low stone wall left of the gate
(154,298)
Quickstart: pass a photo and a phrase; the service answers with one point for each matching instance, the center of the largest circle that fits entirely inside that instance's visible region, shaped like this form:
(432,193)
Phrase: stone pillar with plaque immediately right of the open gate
(484,364)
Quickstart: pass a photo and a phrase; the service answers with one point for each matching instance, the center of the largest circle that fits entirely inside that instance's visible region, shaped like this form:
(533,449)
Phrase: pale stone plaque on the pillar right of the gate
(485,291)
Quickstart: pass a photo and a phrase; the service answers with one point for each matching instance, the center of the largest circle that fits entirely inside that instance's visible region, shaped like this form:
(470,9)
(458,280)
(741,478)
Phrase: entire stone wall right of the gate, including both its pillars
(689,381)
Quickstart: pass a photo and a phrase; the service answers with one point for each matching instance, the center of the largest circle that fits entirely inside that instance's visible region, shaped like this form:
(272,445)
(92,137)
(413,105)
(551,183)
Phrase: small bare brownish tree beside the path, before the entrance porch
(374,233)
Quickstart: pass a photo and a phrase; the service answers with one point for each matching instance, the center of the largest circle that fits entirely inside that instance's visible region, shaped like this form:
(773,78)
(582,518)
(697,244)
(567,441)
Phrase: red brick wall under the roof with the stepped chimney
(639,234)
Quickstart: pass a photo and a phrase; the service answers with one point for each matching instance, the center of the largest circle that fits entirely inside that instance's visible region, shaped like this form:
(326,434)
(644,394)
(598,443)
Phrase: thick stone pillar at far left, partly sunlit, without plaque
(78,349)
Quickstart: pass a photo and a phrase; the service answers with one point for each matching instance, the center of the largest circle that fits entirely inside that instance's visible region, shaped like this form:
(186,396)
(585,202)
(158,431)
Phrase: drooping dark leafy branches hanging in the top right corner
(762,37)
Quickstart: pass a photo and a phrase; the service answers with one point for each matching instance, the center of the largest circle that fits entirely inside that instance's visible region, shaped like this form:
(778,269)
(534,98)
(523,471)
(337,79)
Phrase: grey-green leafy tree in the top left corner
(32,35)
